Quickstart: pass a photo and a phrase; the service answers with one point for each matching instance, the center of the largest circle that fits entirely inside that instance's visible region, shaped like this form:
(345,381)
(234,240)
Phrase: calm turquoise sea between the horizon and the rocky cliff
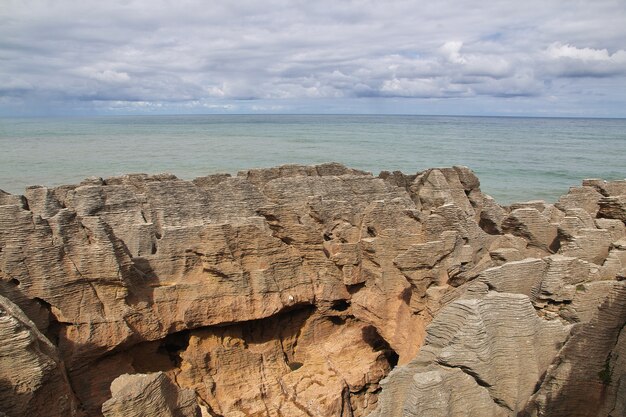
(516,159)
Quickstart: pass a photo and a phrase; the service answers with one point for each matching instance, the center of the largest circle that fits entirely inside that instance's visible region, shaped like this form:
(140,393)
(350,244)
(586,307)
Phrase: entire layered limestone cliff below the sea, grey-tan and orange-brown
(311,290)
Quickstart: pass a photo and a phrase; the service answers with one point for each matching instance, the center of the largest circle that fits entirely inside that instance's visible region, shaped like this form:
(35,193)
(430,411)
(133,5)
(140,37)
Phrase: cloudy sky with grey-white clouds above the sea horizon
(531,57)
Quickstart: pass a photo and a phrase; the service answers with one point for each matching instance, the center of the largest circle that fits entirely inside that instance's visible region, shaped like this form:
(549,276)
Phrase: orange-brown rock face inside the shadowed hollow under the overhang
(296,363)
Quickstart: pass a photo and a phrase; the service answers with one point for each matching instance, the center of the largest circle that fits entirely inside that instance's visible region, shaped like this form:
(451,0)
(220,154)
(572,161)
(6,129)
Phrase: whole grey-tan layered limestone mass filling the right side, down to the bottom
(568,361)
